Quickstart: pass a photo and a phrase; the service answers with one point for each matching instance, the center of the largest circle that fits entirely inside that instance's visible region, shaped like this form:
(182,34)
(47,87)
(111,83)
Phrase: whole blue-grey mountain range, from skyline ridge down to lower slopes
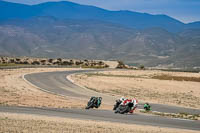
(65,29)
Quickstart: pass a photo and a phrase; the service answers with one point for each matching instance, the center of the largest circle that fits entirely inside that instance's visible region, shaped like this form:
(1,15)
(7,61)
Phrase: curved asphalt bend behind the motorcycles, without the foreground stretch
(57,83)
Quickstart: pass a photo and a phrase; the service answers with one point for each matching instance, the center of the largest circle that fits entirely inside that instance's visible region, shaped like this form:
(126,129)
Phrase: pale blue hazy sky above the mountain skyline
(183,10)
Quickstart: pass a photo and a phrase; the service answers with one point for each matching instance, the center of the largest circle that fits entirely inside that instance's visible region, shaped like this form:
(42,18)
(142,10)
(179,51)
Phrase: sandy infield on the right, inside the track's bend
(139,84)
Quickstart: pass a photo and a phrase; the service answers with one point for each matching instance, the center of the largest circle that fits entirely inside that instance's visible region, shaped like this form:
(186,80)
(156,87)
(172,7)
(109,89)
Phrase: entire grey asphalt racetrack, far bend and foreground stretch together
(57,83)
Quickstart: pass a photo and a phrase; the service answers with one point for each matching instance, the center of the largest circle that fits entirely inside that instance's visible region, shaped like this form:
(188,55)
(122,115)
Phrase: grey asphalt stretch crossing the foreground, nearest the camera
(105,115)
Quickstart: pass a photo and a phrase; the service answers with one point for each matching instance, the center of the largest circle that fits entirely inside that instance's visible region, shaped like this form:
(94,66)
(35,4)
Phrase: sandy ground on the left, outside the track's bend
(15,91)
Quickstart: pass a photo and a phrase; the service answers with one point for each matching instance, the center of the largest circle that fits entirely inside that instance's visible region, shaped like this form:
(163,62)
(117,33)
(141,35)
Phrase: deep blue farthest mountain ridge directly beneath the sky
(70,10)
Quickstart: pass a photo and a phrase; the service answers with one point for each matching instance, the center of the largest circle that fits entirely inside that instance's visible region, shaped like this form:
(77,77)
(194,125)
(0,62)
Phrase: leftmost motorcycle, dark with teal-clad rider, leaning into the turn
(94,102)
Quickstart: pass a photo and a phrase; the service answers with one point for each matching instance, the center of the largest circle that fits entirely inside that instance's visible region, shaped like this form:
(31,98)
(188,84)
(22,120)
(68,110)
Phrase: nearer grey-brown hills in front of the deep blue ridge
(87,39)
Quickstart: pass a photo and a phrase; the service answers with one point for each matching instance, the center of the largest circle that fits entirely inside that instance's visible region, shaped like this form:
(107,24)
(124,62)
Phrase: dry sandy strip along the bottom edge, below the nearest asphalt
(33,123)
